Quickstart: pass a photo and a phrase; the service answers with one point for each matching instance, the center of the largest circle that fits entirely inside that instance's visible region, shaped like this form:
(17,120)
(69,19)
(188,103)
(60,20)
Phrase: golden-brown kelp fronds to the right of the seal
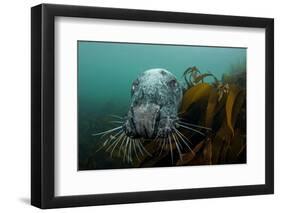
(226,105)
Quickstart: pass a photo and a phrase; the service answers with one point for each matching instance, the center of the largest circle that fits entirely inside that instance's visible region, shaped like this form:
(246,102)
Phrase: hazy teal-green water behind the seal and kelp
(106,71)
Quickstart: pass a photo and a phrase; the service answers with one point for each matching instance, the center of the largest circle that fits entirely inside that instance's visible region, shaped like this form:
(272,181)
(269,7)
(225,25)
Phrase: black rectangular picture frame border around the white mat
(43,117)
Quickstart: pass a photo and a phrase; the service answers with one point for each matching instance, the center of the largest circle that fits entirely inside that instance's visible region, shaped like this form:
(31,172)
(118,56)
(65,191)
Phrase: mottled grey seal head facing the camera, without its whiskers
(155,99)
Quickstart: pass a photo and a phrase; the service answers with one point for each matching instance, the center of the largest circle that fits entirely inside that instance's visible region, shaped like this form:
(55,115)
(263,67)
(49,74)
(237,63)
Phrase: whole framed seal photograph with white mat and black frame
(139,106)
